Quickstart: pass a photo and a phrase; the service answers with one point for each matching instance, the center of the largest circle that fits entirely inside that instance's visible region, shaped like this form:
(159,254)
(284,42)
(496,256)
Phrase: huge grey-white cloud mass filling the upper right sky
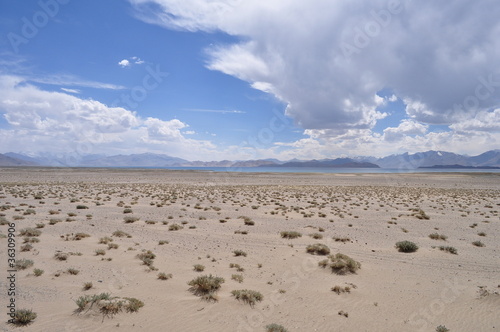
(327,60)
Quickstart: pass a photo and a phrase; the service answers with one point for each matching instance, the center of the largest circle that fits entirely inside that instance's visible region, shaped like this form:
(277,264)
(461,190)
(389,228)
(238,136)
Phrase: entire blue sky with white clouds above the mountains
(213,80)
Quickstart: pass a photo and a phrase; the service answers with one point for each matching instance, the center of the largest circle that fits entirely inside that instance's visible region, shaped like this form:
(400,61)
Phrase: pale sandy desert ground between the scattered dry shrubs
(394,291)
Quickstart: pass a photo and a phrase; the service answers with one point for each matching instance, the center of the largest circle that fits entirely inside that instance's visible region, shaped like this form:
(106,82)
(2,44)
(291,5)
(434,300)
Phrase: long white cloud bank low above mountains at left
(41,121)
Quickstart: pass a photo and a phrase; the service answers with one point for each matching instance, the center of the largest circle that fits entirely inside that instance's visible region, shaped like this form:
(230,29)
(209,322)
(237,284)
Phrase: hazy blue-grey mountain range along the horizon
(429,159)
